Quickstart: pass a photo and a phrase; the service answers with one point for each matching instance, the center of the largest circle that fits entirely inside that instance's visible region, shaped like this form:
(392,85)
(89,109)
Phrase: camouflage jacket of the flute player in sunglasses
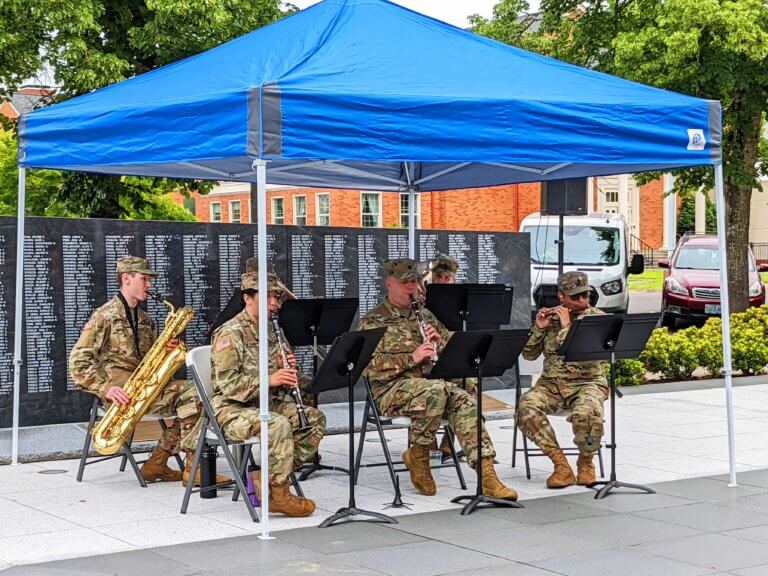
(555,368)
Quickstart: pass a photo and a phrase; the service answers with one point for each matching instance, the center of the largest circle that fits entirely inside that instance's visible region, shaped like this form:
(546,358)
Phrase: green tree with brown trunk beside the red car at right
(715,49)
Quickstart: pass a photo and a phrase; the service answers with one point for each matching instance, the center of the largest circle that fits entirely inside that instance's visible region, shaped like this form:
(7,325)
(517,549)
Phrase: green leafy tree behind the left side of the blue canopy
(89,44)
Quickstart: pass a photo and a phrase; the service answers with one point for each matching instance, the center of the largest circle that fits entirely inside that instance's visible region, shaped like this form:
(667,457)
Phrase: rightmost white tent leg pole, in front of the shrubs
(725,313)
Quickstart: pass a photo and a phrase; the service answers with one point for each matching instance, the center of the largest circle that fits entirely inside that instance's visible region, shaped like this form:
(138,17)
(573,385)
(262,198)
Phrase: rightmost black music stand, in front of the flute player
(610,337)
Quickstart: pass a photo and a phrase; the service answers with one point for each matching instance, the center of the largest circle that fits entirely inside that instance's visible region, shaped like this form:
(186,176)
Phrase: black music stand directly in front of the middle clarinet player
(478,354)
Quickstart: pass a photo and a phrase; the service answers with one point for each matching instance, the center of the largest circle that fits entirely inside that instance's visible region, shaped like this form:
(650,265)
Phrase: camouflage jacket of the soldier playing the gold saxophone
(105,354)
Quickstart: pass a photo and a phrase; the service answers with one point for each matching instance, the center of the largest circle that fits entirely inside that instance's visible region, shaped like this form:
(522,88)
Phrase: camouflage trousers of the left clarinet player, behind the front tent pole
(289,448)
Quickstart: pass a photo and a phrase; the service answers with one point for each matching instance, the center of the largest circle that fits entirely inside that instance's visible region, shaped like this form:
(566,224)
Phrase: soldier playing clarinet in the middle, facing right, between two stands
(396,373)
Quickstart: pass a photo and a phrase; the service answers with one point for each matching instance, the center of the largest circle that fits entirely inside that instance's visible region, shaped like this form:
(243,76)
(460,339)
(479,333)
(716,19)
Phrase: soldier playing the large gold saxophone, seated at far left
(113,342)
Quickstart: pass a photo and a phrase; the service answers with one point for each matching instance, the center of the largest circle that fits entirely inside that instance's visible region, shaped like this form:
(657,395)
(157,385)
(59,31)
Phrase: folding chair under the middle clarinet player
(371,415)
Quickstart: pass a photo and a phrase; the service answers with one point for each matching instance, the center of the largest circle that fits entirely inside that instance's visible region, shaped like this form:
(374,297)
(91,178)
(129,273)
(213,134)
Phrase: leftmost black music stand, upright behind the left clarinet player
(314,322)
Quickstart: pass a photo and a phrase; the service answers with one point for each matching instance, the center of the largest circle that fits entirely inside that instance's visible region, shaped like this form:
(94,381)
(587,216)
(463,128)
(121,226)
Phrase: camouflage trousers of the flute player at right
(585,402)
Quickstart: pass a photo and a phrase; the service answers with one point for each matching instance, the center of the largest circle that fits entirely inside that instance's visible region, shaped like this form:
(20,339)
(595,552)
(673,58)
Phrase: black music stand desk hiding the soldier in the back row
(470,306)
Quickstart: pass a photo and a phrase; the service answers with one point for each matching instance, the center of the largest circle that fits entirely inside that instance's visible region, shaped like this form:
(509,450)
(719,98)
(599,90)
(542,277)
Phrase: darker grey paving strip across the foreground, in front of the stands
(688,528)
